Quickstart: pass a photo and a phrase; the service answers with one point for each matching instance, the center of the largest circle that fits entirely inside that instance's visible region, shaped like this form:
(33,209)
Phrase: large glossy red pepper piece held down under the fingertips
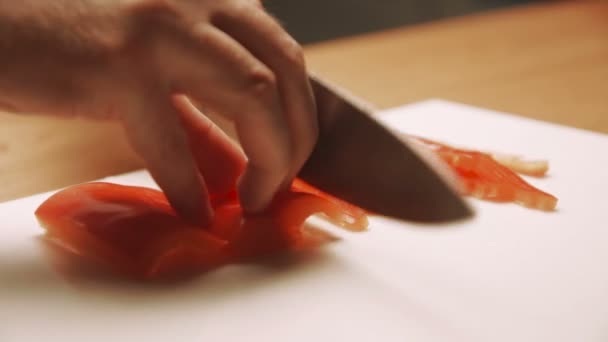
(135,232)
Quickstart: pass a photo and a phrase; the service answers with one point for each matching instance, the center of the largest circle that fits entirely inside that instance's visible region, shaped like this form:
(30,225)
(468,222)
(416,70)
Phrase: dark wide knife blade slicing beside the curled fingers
(360,160)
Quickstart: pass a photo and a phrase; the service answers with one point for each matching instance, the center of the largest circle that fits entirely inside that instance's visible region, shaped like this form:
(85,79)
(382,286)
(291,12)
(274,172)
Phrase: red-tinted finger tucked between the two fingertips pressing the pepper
(218,158)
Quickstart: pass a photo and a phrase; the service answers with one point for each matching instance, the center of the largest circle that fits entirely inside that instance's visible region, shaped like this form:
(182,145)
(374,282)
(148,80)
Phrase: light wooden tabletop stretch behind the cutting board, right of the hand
(548,62)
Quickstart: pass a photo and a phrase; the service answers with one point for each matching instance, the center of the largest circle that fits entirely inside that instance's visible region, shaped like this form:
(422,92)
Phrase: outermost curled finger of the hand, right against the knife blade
(258,32)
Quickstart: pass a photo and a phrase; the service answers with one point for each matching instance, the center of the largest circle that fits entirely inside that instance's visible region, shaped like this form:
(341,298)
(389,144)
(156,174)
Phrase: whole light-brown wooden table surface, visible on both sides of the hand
(547,61)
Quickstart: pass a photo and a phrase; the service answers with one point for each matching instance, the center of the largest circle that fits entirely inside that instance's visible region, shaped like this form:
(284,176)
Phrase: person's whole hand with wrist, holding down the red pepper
(140,61)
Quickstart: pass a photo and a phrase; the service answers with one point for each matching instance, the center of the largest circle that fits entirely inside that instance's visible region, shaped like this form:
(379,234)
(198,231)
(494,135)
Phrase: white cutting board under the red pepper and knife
(510,274)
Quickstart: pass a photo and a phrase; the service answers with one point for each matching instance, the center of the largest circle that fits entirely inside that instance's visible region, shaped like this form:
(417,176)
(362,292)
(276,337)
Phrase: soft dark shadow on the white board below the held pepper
(33,278)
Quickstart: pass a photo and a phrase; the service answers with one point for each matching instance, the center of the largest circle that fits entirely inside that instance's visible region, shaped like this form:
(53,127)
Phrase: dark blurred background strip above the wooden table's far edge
(312,21)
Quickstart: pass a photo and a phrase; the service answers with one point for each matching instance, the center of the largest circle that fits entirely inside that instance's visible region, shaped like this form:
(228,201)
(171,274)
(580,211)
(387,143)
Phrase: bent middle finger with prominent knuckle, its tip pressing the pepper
(244,90)
